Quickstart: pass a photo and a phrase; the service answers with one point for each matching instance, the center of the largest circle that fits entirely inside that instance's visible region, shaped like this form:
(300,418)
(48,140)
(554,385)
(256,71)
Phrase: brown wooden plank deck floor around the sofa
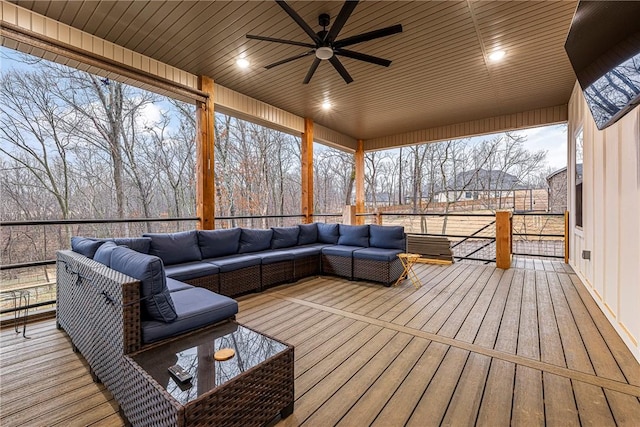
(474,345)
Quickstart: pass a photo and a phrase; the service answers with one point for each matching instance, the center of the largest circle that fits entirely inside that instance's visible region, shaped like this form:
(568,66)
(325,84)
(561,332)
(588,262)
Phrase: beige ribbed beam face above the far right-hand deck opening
(527,119)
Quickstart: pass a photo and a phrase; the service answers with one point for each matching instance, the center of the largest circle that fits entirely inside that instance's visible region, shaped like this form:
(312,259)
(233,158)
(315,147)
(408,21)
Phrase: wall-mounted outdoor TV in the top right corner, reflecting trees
(603,46)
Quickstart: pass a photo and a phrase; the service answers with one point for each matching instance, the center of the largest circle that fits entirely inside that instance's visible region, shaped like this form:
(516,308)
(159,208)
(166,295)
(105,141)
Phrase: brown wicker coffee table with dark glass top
(250,389)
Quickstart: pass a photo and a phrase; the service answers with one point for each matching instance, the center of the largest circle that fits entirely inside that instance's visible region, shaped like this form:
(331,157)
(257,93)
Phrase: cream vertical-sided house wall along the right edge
(611,218)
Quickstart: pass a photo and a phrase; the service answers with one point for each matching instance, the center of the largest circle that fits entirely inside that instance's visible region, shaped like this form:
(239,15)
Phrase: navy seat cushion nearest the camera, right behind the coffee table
(196,307)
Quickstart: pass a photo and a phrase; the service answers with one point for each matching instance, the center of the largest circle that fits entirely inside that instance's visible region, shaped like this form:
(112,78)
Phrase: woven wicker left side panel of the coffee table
(144,402)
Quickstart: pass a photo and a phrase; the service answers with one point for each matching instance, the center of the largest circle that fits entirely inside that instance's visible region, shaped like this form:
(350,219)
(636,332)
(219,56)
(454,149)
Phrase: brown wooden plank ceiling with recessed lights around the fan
(440,75)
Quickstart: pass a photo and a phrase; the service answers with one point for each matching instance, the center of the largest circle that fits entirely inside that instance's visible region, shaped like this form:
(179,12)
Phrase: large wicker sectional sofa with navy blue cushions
(117,295)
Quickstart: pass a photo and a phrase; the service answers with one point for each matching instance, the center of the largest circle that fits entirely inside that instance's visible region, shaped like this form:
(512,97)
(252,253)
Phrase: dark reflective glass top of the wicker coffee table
(195,354)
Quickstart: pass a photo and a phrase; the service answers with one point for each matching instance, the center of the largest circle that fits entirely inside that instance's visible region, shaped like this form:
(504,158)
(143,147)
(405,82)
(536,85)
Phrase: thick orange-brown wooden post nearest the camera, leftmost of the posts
(205,184)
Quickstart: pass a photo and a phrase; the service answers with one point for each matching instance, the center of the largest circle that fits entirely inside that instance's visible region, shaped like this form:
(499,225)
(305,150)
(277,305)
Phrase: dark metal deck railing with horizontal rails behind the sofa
(28,247)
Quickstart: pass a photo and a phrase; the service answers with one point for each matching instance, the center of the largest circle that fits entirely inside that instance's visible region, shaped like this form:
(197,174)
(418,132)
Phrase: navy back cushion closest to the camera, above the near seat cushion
(156,300)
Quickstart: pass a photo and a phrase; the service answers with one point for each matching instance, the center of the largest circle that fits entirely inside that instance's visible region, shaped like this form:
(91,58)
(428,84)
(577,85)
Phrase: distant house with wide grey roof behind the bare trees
(479,184)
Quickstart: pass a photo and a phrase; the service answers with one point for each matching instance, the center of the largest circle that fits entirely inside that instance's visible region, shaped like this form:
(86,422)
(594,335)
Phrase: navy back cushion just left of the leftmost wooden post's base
(175,248)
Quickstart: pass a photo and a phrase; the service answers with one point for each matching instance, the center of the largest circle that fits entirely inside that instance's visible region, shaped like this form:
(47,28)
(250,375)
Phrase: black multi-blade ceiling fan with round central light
(325,46)
